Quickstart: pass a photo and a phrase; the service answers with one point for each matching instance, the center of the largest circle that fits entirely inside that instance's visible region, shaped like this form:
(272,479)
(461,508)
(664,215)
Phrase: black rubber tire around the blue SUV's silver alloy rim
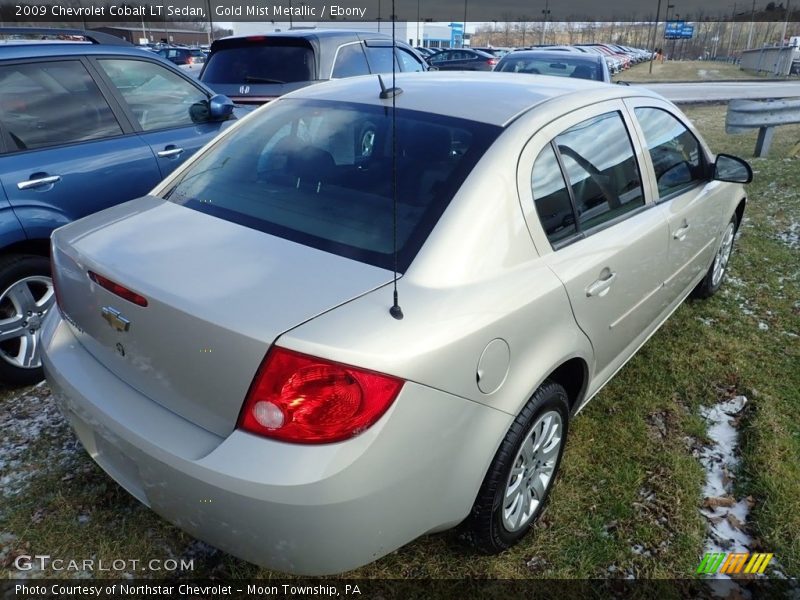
(14,269)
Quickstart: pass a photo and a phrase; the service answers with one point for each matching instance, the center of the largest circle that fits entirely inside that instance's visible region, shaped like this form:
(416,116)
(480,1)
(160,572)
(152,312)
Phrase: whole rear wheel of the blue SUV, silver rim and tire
(26,294)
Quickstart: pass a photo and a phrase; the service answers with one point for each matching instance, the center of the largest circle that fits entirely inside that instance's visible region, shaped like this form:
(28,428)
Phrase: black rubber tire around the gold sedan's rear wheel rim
(486,526)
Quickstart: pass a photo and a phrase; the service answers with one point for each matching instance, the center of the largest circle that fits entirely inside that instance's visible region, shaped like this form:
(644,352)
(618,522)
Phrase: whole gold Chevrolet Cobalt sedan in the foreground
(228,348)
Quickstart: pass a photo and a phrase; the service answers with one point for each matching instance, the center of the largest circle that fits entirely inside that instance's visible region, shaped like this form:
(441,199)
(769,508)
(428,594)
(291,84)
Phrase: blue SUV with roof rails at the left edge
(83,126)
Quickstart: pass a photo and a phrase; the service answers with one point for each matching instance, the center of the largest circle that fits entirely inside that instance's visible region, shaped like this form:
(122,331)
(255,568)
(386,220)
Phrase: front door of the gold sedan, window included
(690,201)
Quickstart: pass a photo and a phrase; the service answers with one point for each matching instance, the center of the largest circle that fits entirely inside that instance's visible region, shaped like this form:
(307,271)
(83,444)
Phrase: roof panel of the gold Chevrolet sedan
(488,97)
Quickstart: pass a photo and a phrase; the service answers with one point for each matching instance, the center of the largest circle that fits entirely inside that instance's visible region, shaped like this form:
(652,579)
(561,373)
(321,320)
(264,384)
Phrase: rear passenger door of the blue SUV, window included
(67,154)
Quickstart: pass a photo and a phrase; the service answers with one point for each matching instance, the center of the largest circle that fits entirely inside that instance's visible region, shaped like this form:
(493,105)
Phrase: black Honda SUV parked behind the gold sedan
(258,68)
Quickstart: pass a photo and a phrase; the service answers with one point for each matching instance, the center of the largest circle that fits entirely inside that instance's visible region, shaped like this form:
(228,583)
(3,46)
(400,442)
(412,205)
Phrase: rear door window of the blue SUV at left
(51,104)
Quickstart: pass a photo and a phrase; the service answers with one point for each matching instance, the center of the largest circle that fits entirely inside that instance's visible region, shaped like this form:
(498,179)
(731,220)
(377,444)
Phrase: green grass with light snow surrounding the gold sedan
(626,501)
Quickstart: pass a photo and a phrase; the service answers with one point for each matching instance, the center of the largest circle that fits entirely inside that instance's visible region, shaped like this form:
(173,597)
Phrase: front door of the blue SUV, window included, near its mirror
(169,111)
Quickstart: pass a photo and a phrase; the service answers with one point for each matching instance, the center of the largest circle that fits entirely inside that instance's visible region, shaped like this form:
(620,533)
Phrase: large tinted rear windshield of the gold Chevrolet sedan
(320,173)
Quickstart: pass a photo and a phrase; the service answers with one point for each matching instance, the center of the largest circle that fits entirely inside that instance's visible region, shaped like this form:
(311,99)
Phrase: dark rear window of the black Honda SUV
(256,63)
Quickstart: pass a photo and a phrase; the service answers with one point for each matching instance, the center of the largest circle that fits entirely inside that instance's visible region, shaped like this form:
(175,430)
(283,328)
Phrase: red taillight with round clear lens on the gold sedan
(302,399)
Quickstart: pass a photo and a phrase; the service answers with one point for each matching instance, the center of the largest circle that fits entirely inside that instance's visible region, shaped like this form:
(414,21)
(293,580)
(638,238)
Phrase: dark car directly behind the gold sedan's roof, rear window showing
(559,64)
